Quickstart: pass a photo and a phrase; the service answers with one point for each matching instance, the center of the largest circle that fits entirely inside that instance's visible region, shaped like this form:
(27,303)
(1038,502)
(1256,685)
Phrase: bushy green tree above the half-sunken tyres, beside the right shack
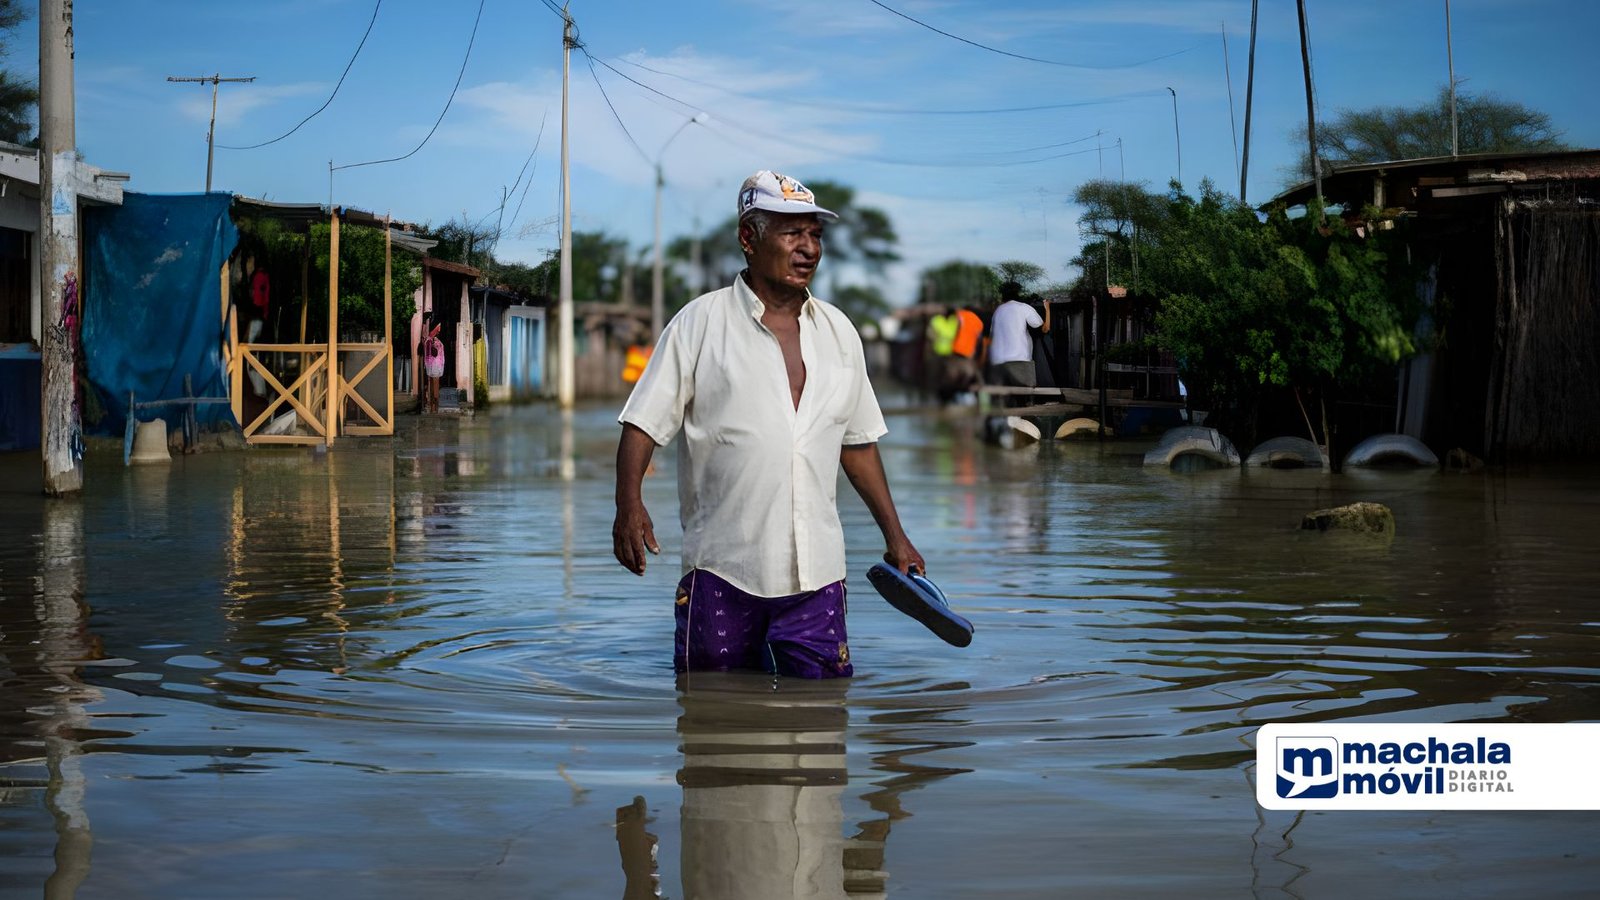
(1286,303)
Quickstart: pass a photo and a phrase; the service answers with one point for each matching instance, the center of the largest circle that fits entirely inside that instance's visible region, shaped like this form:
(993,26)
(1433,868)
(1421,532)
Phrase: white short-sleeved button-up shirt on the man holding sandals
(758,476)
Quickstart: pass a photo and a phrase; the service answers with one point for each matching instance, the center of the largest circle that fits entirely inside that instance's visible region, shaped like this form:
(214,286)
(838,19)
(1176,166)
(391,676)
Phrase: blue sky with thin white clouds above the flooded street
(974,151)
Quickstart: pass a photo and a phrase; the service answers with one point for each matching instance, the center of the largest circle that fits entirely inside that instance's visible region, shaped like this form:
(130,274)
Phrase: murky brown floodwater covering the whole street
(412,669)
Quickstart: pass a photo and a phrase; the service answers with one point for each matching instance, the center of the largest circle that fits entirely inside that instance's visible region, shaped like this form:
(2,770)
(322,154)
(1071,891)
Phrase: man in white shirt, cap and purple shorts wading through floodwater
(770,390)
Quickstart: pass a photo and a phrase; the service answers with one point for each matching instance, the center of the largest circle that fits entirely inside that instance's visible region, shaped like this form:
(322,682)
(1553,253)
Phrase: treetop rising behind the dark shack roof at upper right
(1486,124)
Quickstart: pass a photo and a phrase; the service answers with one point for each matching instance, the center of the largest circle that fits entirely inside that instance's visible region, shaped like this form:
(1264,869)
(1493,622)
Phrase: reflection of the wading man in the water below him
(764,777)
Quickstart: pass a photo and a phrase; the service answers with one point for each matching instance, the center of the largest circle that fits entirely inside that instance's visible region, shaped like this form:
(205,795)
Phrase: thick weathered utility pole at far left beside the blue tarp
(58,265)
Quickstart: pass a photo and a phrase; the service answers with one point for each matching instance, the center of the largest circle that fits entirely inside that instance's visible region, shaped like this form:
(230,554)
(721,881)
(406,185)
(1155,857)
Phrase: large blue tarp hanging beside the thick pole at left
(153,302)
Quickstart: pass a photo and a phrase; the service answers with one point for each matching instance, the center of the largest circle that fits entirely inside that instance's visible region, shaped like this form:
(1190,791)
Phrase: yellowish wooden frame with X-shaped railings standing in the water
(321,395)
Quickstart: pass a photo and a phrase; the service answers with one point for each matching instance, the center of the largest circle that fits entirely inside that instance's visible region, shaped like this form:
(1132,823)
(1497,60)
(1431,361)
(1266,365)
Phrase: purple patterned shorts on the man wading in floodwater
(721,629)
